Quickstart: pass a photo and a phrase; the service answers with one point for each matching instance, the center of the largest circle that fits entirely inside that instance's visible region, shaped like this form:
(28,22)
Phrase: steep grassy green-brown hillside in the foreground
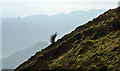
(94,46)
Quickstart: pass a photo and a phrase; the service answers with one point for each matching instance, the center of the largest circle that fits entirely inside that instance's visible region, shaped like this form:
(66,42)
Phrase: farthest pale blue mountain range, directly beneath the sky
(19,33)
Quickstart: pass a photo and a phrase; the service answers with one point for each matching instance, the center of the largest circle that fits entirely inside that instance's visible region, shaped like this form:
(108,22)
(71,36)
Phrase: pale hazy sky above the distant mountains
(21,8)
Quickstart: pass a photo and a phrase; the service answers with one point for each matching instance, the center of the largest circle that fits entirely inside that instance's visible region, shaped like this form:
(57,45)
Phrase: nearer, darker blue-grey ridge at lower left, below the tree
(12,61)
